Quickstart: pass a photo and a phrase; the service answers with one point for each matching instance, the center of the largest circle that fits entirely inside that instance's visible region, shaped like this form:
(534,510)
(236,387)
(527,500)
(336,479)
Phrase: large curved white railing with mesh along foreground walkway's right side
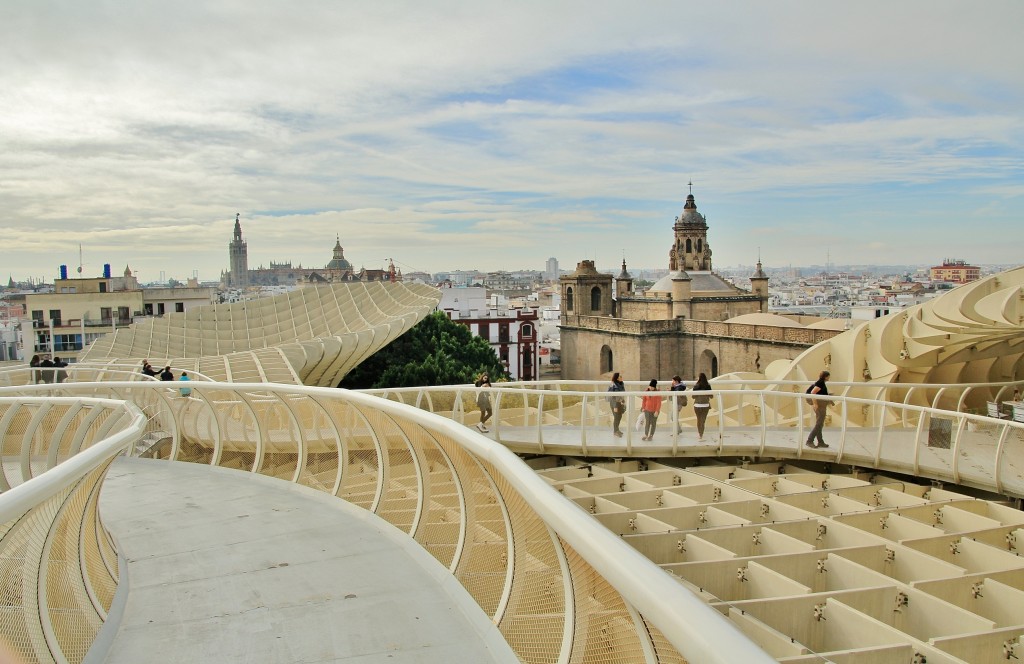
(539,566)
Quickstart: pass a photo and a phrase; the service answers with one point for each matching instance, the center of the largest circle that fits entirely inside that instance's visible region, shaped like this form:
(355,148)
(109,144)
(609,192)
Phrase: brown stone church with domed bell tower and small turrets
(679,325)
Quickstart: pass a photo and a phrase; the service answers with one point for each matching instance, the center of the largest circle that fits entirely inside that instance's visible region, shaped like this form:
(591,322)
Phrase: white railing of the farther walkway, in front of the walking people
(949,446)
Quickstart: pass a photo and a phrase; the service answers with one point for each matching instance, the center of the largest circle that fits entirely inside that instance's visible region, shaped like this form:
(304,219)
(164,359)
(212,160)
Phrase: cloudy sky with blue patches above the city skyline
(490,136)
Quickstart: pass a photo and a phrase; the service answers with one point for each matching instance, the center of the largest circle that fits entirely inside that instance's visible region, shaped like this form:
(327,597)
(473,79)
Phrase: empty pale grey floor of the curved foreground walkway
(225,566)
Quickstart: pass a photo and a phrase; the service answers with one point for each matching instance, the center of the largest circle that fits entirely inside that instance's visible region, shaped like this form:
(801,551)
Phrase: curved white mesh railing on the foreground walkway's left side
(60,570)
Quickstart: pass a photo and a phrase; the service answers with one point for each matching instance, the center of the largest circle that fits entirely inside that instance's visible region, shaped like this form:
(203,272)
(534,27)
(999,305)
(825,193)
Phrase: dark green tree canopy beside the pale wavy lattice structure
(437,352)
